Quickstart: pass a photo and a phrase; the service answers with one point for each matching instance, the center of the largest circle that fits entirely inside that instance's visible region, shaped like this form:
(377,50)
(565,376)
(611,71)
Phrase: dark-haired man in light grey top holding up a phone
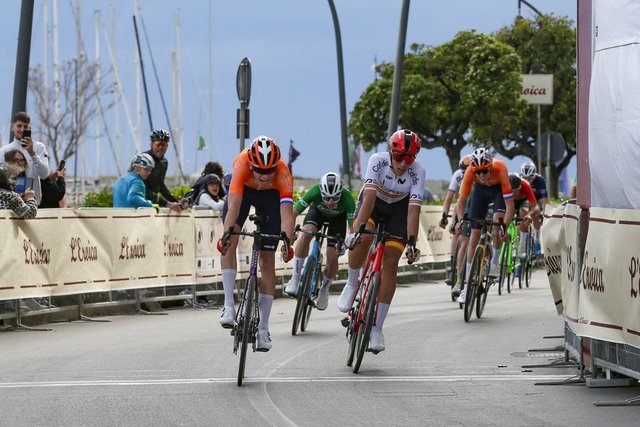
(34,152)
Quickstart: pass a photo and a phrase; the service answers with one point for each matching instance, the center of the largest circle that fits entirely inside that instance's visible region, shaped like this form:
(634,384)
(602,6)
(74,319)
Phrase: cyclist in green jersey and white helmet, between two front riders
(330,202)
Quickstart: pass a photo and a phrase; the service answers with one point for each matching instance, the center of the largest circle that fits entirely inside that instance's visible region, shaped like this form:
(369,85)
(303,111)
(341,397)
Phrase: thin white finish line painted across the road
(346,379)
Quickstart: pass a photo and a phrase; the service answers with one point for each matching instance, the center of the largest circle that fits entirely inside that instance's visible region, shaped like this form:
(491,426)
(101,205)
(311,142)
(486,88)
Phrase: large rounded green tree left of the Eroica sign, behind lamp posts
(462,92)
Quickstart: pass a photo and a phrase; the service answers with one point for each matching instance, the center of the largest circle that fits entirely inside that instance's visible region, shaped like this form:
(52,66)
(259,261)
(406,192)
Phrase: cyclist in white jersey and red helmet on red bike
(393,191)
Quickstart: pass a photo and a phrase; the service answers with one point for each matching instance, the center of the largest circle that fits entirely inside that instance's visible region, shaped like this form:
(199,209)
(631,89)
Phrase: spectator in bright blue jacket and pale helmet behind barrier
(129,191)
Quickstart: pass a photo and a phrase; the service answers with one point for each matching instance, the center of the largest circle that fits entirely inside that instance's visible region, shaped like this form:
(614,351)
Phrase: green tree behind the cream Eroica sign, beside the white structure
(546,45)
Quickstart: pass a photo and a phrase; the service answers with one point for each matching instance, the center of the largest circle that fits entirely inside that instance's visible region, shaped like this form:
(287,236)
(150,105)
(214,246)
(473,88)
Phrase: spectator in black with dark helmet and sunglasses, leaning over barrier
(156,190)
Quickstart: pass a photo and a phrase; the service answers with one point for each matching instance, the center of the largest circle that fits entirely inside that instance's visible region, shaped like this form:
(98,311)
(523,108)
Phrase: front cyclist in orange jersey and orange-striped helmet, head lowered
(260,179)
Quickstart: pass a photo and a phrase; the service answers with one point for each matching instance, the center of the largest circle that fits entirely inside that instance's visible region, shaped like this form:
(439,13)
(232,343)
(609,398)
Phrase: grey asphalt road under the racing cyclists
(178,369)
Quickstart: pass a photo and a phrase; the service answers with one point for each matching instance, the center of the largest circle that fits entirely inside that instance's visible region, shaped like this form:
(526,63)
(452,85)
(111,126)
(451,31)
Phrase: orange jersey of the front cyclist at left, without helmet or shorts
(243,176)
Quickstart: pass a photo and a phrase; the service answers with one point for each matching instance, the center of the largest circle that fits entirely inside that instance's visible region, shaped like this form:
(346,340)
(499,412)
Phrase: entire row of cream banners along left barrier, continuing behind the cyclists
(67,251)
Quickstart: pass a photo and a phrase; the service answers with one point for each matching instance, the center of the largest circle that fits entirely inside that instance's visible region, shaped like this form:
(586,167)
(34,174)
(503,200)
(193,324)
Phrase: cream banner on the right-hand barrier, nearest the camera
(608,301)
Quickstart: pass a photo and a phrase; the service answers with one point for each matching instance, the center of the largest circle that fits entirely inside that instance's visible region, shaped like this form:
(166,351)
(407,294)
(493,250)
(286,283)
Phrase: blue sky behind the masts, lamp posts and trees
(292,48)
